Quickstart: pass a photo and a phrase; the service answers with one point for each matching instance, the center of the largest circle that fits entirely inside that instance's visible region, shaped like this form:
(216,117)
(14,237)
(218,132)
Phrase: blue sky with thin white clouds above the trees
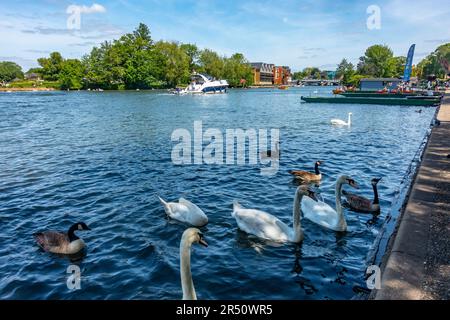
(295,33)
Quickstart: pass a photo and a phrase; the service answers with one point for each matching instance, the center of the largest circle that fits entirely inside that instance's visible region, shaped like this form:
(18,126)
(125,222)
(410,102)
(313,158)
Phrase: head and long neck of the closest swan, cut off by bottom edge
(190,236)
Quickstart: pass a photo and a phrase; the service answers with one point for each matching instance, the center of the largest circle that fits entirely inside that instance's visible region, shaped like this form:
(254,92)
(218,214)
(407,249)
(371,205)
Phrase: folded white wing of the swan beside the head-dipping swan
(261,224)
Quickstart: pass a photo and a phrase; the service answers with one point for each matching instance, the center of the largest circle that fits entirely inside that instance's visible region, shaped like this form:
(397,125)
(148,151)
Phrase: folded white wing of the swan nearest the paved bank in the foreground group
(319,212)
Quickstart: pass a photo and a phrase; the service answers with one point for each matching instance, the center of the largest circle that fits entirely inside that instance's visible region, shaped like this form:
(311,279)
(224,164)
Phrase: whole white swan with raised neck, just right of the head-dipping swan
(269,227)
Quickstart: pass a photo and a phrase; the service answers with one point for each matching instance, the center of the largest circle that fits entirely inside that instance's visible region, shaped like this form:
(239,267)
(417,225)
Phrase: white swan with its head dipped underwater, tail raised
(185,211)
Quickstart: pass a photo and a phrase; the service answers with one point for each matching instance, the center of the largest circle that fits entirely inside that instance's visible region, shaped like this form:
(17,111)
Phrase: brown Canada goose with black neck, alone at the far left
(60,242)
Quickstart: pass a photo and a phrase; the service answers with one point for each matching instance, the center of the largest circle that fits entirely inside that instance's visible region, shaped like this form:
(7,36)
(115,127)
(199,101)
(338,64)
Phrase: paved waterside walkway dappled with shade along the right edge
(416,266)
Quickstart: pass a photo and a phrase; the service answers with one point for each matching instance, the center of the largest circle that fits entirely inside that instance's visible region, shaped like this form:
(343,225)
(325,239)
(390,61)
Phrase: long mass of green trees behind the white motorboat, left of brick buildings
(135,61)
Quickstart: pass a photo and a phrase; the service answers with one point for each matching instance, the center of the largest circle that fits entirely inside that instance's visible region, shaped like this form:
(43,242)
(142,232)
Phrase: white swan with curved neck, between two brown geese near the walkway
(323,214)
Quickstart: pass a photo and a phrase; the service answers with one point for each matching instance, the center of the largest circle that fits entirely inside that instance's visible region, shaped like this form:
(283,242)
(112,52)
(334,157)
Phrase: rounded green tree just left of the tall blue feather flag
(377,62)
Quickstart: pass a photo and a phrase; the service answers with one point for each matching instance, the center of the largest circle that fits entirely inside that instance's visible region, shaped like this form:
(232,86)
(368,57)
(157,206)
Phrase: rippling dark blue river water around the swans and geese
(103,157)
